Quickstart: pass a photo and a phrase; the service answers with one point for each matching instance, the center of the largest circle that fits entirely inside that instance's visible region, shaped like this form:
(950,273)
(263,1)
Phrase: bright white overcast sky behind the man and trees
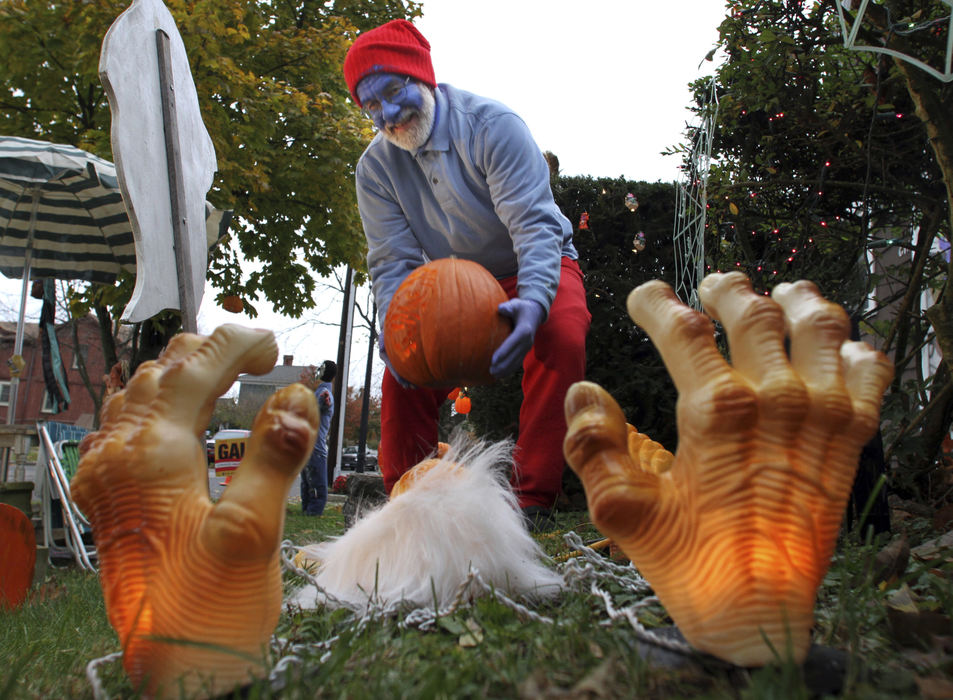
(602,84)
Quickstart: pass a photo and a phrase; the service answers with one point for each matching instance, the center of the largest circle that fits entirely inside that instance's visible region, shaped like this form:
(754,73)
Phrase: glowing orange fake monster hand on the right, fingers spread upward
(737,534)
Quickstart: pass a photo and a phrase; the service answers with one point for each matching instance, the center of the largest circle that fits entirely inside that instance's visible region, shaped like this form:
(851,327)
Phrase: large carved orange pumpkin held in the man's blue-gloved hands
(442,325)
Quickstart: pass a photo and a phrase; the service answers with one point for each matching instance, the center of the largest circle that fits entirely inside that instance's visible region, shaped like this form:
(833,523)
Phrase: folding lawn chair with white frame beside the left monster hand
(66,531)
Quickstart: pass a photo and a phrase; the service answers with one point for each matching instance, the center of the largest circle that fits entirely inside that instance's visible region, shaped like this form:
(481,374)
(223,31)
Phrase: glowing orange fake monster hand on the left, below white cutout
(193,589)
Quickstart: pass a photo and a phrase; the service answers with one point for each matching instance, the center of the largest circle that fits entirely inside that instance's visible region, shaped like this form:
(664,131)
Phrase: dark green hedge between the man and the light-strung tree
(619,356)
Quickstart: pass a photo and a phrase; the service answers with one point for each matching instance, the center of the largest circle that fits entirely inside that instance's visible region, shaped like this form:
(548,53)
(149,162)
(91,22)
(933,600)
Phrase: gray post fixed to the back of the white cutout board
(180,236)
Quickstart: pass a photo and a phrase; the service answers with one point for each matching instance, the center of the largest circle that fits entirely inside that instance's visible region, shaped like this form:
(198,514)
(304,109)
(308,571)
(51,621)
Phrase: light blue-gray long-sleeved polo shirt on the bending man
(478,189)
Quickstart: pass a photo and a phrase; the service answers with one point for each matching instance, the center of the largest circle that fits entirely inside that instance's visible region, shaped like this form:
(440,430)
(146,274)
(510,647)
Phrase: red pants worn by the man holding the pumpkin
(556,360)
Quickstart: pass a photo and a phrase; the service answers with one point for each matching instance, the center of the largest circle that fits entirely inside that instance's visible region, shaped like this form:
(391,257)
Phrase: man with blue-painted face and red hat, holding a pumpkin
(451,173)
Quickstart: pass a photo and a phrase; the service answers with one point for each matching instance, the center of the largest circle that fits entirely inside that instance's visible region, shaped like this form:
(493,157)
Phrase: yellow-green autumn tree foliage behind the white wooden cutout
(274,101)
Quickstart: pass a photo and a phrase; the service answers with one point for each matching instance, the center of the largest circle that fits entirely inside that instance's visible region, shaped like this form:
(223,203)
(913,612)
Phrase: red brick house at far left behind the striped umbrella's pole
(33,400)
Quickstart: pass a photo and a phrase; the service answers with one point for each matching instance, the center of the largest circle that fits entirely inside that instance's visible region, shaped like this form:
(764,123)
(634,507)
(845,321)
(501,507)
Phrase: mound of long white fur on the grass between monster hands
(422,544)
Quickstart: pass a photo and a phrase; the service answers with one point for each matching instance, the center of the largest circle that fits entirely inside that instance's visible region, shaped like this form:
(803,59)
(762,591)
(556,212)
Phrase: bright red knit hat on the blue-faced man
(395,47)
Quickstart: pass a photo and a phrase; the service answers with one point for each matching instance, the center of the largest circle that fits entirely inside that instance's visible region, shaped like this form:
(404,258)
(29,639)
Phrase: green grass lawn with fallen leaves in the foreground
(487,650)
